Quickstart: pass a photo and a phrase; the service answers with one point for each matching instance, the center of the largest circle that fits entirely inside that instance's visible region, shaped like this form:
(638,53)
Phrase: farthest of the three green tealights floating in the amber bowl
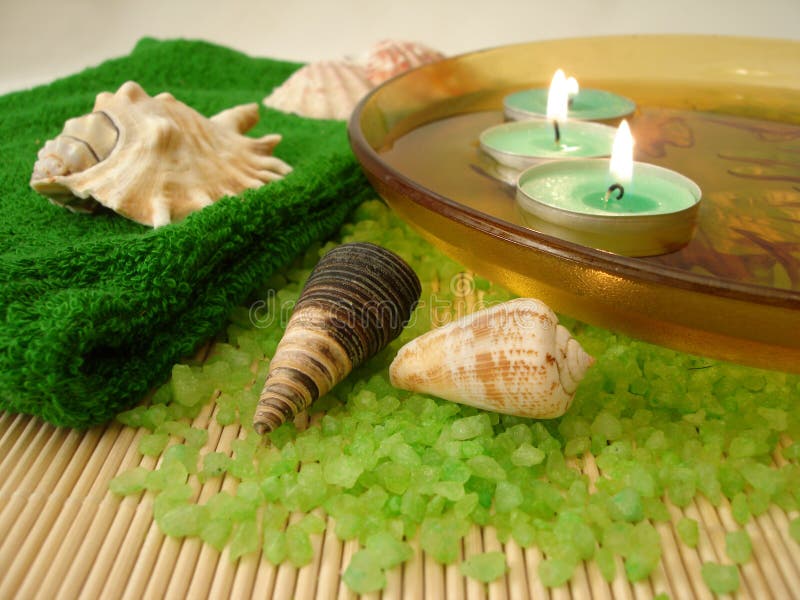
(584,104)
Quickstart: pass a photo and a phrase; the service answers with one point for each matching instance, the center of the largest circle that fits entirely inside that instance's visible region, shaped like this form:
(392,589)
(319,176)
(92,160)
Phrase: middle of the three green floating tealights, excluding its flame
(523,143)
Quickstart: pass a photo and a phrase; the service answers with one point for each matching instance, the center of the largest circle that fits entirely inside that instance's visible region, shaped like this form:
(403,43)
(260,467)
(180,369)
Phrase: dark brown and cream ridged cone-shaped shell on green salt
(357,300)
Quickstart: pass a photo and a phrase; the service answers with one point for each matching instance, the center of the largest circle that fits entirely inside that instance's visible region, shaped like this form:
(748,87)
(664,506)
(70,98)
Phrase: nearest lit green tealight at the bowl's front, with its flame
(635,209)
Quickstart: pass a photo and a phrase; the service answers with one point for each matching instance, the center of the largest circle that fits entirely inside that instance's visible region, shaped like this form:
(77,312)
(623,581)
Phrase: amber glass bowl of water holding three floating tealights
(723,111)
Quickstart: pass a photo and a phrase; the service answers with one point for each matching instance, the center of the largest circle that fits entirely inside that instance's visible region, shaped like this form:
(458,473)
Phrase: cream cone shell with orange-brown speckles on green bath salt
(512,358)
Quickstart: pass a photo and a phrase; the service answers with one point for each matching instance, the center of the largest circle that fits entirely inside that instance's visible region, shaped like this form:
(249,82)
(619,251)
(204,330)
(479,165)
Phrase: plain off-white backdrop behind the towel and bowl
(44,39)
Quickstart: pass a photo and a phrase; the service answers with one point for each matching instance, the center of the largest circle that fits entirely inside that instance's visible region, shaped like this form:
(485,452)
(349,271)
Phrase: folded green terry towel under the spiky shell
(96,308)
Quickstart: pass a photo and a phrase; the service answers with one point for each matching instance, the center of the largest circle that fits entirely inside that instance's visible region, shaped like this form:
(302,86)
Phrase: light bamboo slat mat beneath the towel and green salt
(64,535)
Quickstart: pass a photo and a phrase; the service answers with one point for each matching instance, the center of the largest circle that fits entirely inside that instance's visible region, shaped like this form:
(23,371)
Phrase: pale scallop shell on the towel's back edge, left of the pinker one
(322,90)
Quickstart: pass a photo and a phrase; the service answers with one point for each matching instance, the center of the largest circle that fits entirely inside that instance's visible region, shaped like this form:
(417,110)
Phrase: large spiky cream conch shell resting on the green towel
(154,159)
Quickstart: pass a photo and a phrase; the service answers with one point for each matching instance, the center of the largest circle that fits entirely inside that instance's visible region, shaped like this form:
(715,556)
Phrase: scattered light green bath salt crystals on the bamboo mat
(395,469)
